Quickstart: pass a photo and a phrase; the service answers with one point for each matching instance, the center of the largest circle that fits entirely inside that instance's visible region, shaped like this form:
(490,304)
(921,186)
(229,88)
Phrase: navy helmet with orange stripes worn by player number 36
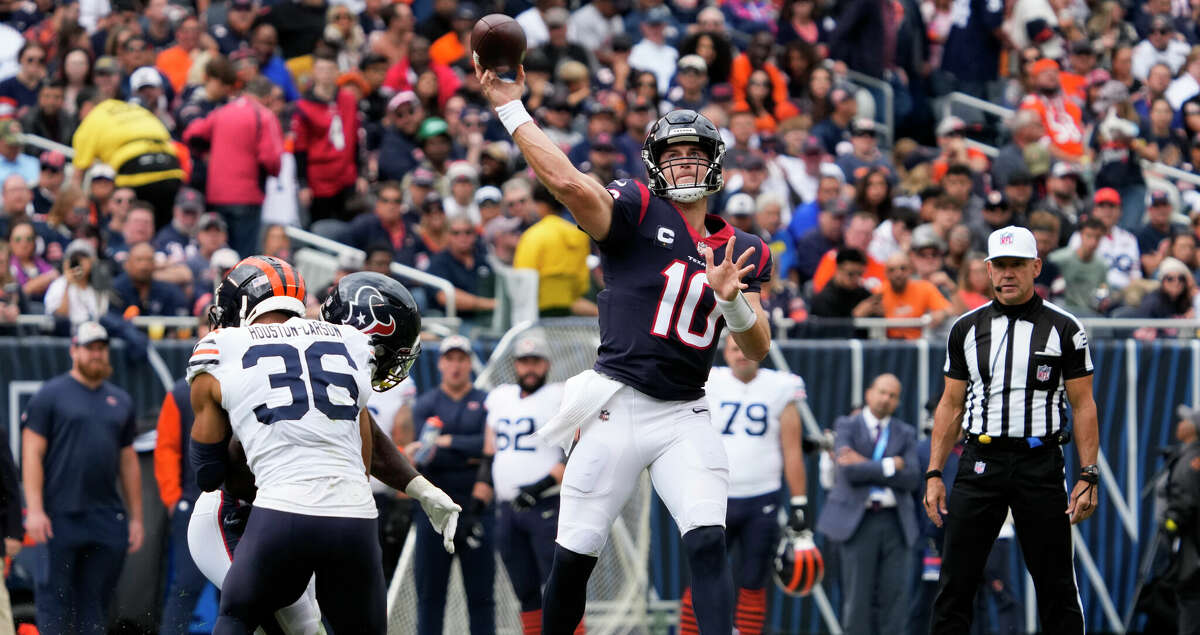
(255,286)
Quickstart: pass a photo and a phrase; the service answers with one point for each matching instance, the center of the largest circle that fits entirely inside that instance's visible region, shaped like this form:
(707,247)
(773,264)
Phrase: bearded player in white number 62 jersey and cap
(526,474)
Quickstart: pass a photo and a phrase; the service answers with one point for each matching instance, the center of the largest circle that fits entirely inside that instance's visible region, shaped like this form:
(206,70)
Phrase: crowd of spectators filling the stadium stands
(368,127)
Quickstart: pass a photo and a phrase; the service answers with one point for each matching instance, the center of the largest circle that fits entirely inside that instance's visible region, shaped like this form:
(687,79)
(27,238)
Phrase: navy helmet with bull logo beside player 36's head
(382,309)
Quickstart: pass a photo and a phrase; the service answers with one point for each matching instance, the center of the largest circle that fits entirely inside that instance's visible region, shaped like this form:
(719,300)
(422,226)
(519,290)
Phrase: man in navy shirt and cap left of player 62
(454,468)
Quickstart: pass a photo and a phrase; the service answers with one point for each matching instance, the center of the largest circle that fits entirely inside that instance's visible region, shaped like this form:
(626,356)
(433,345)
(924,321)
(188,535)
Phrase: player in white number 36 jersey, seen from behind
(295,391)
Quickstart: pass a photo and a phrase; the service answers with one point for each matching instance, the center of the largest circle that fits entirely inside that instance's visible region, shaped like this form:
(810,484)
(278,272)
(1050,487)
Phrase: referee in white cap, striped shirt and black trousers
(1009,366)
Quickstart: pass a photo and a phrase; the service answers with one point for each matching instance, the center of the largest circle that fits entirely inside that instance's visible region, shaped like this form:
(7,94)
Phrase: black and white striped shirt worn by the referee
(1017,361)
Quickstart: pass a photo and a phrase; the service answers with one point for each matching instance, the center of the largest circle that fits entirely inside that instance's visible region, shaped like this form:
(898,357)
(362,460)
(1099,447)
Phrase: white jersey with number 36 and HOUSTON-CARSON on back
(293,393)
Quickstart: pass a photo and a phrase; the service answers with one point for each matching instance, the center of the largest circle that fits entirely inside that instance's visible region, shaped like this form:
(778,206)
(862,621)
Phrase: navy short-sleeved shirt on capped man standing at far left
(86,432)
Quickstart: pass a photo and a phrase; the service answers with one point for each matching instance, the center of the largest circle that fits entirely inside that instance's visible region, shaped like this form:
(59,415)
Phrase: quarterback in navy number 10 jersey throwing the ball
(675,278)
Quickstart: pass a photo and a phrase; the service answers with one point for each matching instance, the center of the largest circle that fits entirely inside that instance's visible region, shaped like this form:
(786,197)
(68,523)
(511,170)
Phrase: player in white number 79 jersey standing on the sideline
(755,412)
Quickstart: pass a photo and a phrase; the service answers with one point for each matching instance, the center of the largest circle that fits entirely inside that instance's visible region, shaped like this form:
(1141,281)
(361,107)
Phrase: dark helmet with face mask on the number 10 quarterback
(685,127)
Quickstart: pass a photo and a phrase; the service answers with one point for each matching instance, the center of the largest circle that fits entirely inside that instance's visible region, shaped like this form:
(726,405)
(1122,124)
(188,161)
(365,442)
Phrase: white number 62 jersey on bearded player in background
(521,458)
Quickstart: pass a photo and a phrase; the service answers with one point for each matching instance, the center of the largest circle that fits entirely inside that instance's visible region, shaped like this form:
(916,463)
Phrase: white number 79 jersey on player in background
(747,415)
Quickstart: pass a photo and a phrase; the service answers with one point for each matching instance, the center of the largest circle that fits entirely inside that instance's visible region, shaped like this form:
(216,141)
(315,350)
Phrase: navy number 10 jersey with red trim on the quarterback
(659,324)
